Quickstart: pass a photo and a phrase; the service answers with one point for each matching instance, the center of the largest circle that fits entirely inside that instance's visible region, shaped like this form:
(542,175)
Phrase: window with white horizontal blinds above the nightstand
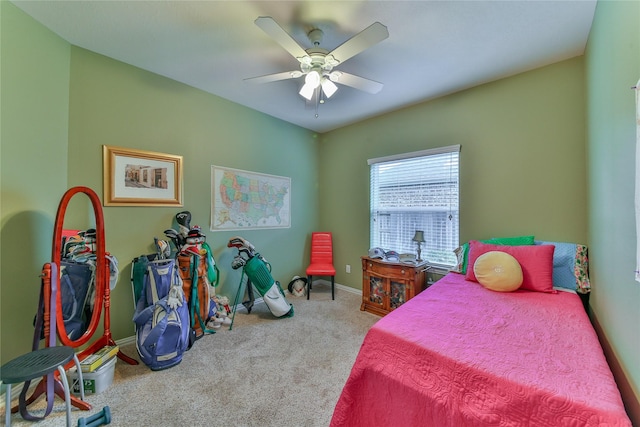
(417,191)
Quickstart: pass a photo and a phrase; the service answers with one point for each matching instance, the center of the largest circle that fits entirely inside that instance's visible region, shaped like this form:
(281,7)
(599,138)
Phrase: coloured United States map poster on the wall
(243,200)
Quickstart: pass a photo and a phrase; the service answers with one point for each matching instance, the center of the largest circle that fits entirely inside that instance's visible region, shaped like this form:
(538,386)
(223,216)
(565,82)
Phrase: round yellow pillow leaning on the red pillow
(498,271)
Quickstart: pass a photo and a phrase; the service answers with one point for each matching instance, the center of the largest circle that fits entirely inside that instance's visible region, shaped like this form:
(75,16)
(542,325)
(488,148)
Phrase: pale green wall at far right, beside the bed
(612,68)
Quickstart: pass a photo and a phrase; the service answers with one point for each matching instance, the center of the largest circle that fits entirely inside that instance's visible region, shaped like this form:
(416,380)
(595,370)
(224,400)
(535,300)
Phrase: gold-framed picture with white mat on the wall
(141,178)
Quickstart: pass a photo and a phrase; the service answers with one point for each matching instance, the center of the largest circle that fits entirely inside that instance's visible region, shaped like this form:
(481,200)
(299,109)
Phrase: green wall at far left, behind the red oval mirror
(33,156)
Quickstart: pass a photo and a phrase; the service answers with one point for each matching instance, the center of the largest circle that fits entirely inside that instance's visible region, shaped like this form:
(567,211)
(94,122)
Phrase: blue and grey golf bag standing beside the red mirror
(162,317)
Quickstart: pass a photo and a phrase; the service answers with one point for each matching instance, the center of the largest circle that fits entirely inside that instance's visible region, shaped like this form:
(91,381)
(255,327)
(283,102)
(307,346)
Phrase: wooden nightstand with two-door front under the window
(387,285)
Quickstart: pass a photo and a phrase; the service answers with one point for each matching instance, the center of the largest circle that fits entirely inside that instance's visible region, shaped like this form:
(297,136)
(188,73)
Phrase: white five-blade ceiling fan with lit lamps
(317,64)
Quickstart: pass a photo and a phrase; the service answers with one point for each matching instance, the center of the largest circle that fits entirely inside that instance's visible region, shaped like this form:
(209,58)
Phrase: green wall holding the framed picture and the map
(113,103)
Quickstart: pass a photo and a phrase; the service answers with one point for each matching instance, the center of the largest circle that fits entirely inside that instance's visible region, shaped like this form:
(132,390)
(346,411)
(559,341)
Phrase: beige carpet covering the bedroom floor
(263,372)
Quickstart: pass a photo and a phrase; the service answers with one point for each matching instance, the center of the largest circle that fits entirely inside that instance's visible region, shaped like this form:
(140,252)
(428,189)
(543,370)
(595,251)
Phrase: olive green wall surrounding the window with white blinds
(522,161)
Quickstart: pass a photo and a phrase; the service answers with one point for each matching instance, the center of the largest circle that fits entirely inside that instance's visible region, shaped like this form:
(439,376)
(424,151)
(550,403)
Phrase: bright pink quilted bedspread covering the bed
(460,355)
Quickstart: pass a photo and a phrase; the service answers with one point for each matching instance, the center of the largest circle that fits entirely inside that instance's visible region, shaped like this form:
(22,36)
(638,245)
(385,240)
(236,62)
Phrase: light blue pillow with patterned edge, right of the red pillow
(570,266)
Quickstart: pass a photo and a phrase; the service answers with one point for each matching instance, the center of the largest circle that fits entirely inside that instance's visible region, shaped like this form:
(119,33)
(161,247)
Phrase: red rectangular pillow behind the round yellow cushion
(536,262)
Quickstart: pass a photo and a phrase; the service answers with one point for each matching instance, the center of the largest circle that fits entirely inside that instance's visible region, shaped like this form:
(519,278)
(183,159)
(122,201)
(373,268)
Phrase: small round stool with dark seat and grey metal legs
(36,364)
